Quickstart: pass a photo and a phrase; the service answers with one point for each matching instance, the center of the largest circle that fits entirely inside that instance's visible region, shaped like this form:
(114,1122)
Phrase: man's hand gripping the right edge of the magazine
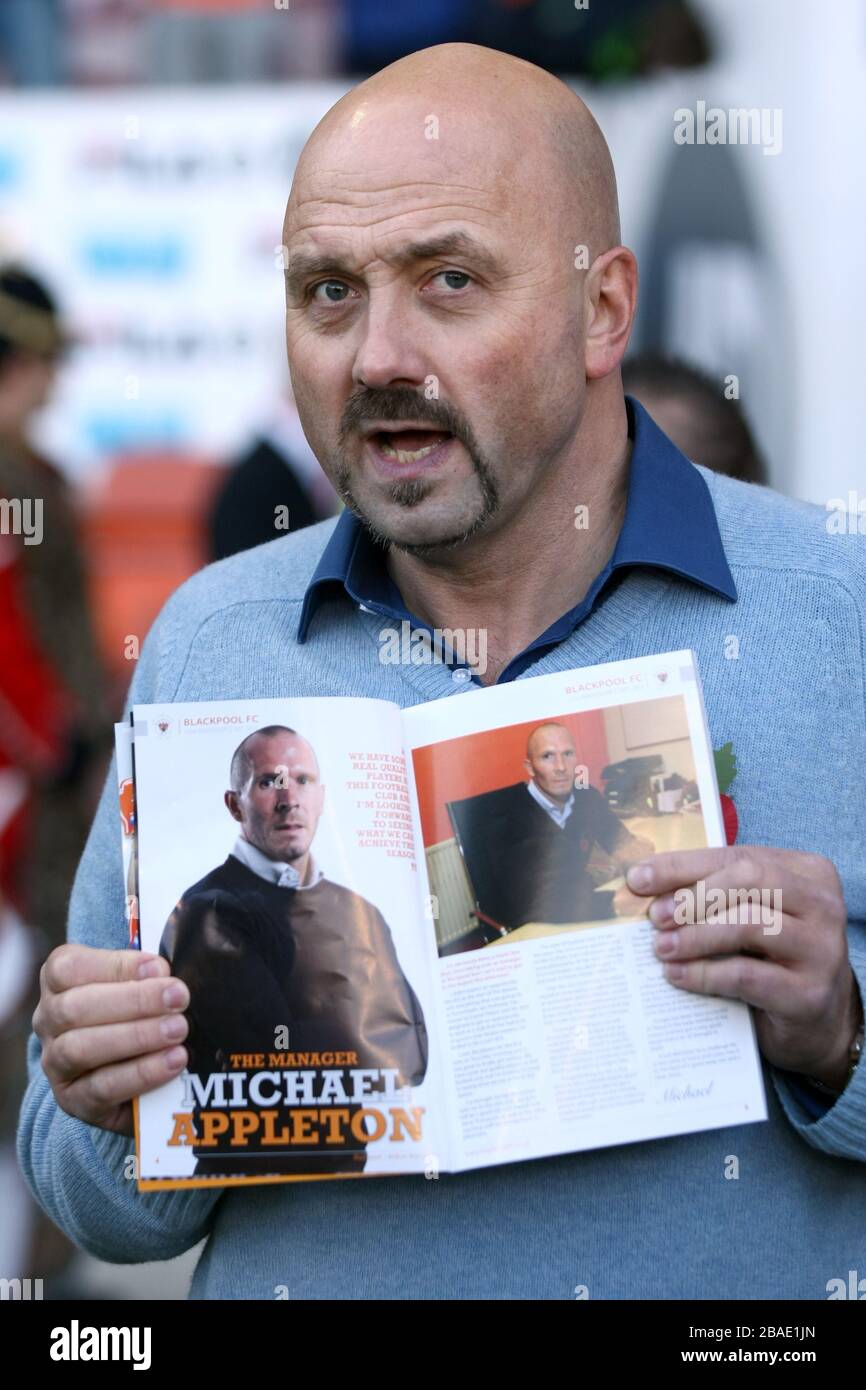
(785,951)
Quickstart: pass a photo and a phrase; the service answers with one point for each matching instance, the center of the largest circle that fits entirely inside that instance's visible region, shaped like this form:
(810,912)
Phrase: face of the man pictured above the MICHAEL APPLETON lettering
(281,800)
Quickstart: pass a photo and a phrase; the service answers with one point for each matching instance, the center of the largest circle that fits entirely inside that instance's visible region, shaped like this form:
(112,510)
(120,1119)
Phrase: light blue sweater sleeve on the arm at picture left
(79,1172)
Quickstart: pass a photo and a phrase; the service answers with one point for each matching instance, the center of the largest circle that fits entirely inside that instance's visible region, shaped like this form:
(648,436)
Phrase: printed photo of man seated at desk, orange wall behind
(529,829)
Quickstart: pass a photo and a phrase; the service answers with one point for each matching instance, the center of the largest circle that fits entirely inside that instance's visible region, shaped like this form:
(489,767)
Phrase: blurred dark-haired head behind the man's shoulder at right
(693,411)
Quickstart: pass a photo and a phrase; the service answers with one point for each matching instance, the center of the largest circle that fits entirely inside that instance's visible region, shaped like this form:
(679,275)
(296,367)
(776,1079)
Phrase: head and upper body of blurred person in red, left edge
(54,719)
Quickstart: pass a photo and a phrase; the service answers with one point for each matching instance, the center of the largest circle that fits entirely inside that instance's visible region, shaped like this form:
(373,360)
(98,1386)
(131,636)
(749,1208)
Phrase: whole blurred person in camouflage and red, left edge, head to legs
(51,708)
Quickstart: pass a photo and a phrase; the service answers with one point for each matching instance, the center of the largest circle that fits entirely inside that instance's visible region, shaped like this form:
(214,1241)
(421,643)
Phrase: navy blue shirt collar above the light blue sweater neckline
(671,525)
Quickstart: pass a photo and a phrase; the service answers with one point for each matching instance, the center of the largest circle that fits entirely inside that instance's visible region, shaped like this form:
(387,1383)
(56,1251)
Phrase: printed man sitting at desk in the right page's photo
(529,847)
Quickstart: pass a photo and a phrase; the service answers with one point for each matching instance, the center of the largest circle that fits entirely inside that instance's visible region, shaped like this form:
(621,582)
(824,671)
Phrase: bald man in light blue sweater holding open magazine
(458,308)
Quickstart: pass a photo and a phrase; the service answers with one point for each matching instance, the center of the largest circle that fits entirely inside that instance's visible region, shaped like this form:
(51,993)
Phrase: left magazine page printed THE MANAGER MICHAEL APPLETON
(279,876)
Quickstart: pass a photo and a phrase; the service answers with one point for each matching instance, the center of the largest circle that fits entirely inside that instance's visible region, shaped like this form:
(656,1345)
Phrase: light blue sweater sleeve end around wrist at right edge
(842,1129)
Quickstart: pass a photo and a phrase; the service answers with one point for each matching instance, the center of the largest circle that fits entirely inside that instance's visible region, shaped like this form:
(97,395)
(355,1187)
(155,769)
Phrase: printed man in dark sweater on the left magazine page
(269,947)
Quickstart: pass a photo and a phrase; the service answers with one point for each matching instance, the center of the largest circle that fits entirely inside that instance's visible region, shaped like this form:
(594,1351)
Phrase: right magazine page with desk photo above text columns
(561,1032)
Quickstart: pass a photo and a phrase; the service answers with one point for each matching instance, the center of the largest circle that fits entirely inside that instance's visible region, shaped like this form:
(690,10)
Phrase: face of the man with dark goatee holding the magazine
(423,288)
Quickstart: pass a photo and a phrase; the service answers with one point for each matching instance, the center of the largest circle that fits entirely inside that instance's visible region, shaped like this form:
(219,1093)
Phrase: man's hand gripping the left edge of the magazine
(111,1024)
